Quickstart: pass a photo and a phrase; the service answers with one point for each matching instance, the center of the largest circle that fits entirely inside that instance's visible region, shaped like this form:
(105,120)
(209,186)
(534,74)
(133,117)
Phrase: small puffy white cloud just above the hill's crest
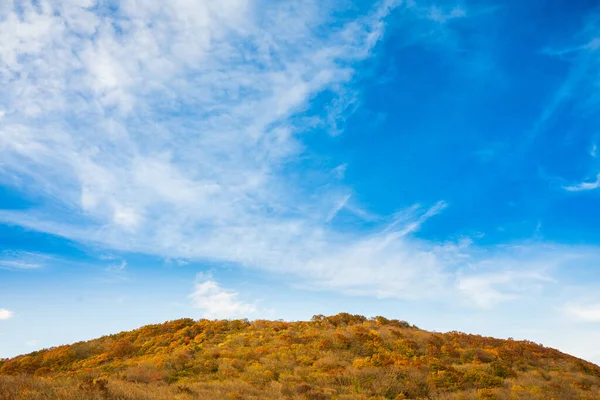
(216,302)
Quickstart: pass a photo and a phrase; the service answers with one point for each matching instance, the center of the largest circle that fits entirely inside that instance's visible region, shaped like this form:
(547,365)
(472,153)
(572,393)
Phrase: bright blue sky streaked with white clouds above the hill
(433,161)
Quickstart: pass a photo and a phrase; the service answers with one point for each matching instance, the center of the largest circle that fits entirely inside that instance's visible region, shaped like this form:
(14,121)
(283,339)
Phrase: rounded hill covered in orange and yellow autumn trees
(338,357)
